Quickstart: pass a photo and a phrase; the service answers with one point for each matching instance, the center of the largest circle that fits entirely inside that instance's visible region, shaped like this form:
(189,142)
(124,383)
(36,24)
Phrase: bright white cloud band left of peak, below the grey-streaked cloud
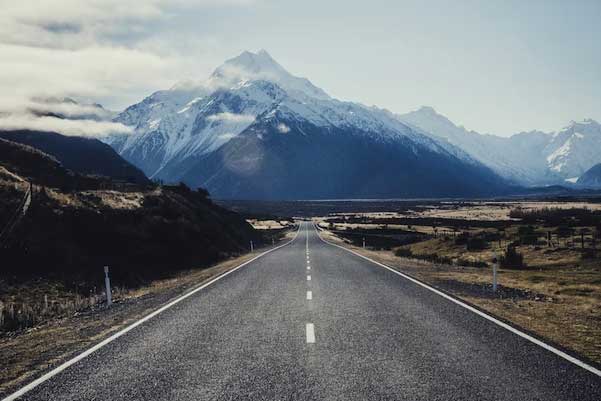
(90,72)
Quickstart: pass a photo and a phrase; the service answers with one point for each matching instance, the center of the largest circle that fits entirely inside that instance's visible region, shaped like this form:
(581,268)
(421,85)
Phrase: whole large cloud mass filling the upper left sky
(102,51)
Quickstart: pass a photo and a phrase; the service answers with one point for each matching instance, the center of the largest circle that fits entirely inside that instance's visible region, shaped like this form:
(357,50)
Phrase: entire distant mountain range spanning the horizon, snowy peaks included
(252,130)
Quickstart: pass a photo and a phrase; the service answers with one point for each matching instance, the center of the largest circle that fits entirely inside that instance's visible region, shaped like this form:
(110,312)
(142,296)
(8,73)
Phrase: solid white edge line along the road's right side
(506,326)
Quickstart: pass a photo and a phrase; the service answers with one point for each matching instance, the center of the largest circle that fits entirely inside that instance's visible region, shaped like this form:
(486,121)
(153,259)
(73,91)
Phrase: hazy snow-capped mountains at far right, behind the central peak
(528,158)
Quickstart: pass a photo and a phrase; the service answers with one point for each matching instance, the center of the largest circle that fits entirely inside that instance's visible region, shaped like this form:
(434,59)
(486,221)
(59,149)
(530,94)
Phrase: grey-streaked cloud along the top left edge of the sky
(77,23)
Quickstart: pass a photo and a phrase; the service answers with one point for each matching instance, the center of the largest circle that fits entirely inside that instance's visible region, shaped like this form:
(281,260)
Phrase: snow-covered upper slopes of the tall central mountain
(192,119)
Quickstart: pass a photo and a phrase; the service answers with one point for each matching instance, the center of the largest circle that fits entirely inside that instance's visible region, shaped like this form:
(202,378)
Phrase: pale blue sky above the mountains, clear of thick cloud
(493,66)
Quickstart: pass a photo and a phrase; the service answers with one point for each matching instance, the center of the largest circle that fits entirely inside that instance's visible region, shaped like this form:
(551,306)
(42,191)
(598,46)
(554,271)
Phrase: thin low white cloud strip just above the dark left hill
(90,128)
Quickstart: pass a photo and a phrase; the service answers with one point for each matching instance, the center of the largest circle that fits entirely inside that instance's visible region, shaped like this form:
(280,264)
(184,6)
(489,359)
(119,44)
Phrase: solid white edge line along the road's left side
(115,336)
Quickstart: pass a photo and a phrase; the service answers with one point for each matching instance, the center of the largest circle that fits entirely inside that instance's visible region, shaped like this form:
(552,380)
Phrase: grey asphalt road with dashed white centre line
(364,334)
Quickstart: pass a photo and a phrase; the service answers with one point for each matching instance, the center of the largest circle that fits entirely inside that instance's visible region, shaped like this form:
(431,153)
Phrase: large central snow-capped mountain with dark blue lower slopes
(242,132)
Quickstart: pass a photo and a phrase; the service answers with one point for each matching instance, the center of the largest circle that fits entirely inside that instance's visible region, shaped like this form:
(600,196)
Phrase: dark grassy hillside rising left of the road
(76,224)
